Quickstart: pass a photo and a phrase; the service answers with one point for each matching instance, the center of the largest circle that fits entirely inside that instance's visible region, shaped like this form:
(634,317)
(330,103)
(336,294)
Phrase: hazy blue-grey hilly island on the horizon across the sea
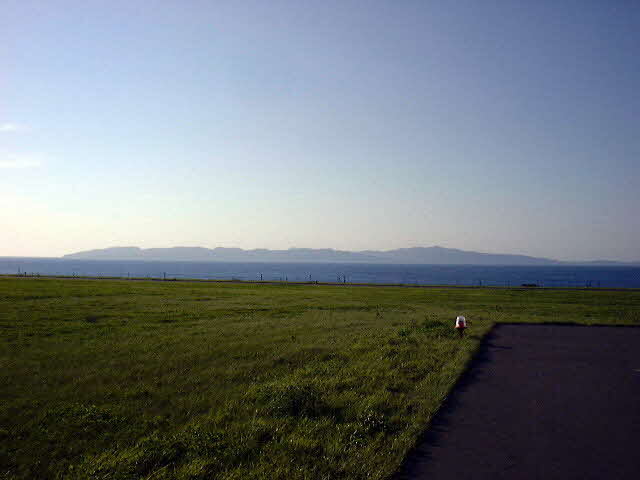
(417,255)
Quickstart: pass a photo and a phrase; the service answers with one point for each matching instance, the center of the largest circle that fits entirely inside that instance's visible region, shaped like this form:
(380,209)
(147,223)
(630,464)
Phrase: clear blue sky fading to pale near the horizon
(495,126)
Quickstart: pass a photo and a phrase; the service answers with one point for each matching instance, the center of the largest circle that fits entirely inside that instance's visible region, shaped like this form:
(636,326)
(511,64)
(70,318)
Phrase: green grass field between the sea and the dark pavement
(116,379)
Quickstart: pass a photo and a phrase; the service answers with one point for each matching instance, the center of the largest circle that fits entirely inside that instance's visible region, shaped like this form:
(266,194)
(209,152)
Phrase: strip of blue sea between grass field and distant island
(548,276)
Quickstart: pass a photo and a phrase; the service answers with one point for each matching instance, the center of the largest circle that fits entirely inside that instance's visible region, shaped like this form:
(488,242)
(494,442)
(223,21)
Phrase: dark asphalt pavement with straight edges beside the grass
(541,402)
